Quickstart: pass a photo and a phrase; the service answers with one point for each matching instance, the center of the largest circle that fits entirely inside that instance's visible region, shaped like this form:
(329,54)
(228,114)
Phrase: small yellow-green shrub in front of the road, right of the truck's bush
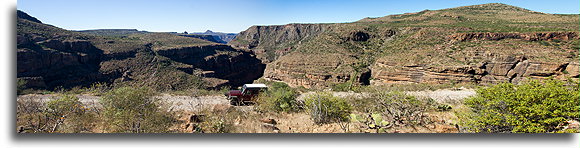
(325,108)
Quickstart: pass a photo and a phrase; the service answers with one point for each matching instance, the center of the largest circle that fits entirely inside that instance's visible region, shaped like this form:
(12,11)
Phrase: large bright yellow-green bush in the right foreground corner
(532,107)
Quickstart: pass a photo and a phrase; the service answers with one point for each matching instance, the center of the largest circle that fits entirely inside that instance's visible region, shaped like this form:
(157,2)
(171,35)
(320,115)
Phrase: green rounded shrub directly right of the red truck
(278,98)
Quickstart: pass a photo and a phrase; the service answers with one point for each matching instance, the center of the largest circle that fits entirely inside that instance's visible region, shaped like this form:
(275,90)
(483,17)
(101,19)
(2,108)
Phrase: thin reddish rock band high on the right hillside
(544,36)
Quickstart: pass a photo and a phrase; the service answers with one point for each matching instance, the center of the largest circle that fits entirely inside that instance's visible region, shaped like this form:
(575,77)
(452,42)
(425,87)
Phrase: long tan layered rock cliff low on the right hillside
(503,69)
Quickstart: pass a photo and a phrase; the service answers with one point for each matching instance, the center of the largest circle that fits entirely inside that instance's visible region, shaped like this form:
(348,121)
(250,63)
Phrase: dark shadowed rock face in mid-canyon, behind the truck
(238,67)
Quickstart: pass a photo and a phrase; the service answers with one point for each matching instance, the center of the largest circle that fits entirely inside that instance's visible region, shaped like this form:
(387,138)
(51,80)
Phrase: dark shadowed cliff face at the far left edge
(52,63)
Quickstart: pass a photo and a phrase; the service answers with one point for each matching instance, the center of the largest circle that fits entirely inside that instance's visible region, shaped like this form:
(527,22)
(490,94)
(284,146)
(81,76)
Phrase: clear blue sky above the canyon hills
(238,15)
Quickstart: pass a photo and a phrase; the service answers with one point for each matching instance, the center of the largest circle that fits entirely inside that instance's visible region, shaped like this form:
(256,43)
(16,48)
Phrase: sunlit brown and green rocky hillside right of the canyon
(486,43)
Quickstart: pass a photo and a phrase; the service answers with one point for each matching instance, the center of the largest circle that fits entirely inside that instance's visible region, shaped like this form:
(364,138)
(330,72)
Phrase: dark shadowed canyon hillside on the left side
(50,57)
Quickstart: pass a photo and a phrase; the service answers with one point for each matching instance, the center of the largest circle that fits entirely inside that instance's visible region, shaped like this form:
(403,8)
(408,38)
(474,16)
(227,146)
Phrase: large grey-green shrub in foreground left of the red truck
(134,110)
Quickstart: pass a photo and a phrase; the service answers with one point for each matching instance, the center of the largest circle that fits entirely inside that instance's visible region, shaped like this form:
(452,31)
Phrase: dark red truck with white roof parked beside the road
(246,94)
